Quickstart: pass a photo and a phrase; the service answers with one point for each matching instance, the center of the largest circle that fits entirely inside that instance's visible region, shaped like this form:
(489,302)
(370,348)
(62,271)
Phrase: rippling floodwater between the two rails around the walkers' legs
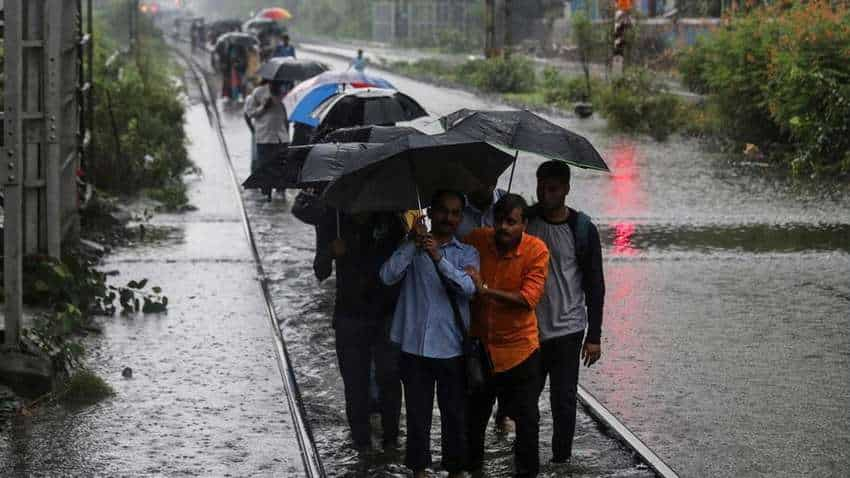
(305,308)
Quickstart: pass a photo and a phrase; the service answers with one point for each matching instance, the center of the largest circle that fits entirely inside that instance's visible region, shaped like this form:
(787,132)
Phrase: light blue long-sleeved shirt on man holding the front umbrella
(423,323)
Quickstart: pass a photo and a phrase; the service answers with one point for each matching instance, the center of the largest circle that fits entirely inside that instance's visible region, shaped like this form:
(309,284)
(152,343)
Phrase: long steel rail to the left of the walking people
(309,453)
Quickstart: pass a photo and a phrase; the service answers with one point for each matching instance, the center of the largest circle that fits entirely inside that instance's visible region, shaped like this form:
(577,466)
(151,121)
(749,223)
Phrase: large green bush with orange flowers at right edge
(779,75)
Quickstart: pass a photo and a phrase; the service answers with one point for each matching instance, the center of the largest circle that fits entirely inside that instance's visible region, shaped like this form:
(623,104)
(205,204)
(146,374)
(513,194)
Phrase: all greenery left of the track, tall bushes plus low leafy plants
(138,149)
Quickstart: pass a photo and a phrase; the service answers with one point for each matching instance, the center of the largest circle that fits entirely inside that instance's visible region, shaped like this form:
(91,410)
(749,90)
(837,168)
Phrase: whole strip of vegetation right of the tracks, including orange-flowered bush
(775,82)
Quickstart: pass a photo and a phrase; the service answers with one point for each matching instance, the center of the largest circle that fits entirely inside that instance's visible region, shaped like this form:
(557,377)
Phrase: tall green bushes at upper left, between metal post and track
(138,117)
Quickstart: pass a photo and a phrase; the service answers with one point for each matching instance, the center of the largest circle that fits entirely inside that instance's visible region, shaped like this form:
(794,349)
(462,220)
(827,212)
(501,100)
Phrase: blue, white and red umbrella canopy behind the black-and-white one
(305,97)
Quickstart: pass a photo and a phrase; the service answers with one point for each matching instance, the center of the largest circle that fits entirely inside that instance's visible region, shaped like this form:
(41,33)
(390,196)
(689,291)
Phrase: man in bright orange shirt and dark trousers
(509,286)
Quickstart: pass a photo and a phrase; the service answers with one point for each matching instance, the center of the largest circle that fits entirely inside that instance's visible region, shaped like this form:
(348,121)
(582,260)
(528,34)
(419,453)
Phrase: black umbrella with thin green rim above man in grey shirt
(525,131)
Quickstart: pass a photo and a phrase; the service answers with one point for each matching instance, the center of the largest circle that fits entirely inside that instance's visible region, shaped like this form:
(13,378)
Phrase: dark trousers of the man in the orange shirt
(517,390)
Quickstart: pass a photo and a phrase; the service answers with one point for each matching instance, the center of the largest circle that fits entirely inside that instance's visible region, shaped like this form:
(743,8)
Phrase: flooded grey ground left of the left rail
(206,397)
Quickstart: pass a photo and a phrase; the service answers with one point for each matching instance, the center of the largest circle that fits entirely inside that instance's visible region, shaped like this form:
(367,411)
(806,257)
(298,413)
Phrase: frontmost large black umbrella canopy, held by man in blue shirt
(403,174)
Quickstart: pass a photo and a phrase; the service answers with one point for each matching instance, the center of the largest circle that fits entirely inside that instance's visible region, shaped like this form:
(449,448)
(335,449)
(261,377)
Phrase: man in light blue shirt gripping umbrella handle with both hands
(425,328)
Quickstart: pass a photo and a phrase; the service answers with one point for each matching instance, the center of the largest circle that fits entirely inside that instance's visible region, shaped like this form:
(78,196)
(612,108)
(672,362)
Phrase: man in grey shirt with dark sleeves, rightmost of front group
(572,302)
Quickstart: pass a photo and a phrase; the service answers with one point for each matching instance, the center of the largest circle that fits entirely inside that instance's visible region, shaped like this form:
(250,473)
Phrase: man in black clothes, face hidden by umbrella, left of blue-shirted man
(359,245)
